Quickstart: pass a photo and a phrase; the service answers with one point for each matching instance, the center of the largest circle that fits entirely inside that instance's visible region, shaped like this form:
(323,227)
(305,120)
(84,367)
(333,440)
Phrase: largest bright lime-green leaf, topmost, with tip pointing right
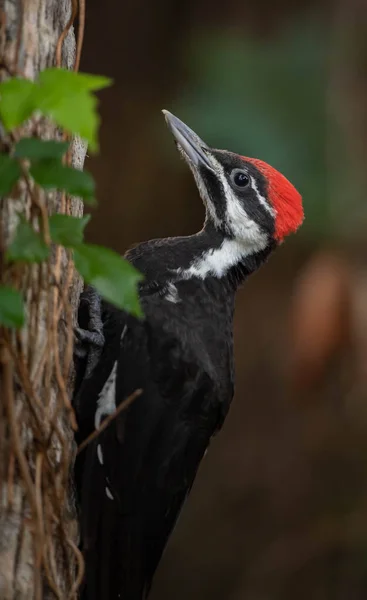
(66,97)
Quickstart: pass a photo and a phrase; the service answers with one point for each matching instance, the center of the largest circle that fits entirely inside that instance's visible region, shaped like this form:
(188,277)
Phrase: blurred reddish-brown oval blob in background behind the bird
(320,317)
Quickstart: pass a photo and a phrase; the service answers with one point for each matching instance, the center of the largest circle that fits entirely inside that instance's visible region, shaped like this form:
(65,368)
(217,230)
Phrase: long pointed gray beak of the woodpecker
(192,145)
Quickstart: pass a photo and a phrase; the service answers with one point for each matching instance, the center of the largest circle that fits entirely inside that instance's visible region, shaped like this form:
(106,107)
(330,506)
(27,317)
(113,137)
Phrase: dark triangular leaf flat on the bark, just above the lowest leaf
(27,245)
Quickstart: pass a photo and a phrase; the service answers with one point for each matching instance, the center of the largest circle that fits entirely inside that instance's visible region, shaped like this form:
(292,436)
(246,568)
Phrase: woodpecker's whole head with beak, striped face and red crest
(245,198)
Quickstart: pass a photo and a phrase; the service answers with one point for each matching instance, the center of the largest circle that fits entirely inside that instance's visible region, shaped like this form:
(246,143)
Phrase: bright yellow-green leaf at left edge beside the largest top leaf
(16,101)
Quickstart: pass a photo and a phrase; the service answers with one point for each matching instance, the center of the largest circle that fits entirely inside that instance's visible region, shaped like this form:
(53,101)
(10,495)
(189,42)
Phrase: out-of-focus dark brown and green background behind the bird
(279,508)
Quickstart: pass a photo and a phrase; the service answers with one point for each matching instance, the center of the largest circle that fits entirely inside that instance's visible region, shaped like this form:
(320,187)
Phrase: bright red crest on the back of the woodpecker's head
(285,199)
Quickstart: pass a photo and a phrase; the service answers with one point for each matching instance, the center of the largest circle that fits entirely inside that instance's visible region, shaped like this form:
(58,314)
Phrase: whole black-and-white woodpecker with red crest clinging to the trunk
(134,478)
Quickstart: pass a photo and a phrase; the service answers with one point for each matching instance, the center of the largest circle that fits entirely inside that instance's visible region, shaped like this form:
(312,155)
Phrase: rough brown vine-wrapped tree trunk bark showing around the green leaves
(38,531)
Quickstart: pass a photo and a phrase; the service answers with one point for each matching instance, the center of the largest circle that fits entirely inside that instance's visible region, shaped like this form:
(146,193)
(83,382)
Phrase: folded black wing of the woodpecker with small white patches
(135,477)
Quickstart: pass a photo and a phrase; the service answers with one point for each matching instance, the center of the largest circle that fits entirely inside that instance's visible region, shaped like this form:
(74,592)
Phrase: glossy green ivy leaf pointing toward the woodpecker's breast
(113,276)
